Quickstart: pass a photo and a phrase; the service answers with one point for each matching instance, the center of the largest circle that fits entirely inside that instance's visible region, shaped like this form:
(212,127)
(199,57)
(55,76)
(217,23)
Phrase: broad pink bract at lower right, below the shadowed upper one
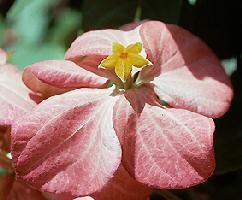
(163,147)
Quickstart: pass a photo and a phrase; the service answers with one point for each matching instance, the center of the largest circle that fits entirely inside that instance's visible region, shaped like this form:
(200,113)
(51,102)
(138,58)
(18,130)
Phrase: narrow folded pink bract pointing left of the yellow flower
(61,74)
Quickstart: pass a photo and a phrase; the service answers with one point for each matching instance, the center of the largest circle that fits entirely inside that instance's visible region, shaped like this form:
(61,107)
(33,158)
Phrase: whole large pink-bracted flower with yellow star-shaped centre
(143,98)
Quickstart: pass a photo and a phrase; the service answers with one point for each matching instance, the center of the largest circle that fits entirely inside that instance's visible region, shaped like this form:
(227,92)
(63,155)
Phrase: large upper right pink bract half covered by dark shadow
(185,72)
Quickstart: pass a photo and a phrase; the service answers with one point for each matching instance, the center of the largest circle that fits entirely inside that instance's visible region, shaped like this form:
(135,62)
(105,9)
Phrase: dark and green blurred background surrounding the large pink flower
(34,30)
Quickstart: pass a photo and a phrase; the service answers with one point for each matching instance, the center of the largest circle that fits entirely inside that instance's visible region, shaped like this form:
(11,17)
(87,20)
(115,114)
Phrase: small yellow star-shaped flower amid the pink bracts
(123,59)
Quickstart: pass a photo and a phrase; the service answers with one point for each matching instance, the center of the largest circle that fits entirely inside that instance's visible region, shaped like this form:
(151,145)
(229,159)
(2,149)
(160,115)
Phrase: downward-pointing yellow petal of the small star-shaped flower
(123,69)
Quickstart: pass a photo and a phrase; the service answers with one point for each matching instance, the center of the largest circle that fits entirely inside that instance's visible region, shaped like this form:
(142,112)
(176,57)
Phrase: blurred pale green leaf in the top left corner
(29,19)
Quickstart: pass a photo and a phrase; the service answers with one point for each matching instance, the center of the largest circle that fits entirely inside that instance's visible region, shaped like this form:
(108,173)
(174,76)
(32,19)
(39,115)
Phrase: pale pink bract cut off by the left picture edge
(14,96)
